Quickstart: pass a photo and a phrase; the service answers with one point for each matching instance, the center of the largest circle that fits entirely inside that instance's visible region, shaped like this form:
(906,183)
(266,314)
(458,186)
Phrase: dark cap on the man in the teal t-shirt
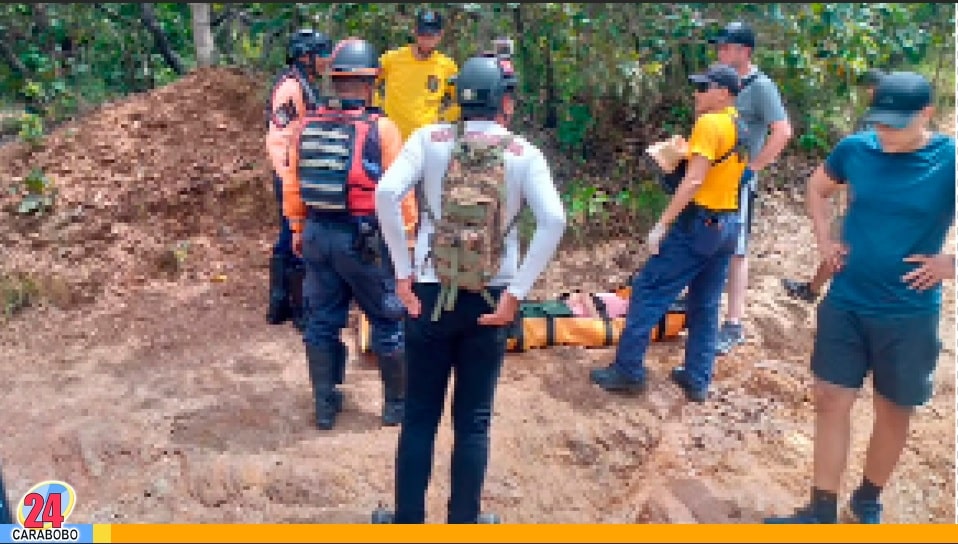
(898,97)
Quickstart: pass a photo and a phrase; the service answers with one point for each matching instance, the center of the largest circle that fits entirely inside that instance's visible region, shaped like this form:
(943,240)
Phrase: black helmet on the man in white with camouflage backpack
(482,82)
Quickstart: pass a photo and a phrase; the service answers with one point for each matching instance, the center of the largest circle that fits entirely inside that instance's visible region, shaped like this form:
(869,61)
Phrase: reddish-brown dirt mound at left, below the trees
(145,185)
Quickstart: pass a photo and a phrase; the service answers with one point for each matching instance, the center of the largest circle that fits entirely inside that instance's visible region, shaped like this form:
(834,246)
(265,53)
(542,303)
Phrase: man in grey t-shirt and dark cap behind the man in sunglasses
(767,131)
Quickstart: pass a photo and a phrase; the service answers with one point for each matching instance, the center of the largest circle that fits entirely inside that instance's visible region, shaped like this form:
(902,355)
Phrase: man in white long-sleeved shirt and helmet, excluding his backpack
(470,339)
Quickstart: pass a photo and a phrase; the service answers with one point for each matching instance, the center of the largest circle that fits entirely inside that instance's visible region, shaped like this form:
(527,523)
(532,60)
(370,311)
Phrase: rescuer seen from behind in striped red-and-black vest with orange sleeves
(330,168)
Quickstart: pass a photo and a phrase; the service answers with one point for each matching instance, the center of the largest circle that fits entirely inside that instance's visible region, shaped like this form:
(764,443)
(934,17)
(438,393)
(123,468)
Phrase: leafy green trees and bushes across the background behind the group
(599,81)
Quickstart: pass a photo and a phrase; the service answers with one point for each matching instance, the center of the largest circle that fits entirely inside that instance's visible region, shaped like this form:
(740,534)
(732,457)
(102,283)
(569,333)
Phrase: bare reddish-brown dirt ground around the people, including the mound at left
(148,379)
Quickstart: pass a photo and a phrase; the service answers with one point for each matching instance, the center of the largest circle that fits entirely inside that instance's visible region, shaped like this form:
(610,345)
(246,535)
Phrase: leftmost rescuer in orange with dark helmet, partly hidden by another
(292,93)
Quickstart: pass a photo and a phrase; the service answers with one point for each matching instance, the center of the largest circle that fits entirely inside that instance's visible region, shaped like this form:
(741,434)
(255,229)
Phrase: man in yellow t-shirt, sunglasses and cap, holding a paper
(691,246)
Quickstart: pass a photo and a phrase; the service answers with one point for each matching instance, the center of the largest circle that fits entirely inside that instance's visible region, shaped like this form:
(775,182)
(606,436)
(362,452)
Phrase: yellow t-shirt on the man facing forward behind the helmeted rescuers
(414,89)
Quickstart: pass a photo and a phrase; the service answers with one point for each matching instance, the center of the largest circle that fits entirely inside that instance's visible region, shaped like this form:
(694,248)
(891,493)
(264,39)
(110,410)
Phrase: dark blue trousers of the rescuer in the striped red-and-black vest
(335,276)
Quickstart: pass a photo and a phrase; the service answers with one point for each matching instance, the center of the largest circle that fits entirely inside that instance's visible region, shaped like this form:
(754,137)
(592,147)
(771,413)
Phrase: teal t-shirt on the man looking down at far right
(900,204)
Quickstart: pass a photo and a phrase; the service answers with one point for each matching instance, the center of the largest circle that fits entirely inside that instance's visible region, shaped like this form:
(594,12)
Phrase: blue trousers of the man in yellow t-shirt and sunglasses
(695,254)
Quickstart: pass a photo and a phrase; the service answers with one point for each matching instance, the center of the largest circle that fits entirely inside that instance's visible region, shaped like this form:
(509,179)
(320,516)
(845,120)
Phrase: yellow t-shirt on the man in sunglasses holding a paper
(712,137)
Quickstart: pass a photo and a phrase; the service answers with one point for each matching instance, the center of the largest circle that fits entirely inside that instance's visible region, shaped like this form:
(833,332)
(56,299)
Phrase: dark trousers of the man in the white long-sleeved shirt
(434,350)
